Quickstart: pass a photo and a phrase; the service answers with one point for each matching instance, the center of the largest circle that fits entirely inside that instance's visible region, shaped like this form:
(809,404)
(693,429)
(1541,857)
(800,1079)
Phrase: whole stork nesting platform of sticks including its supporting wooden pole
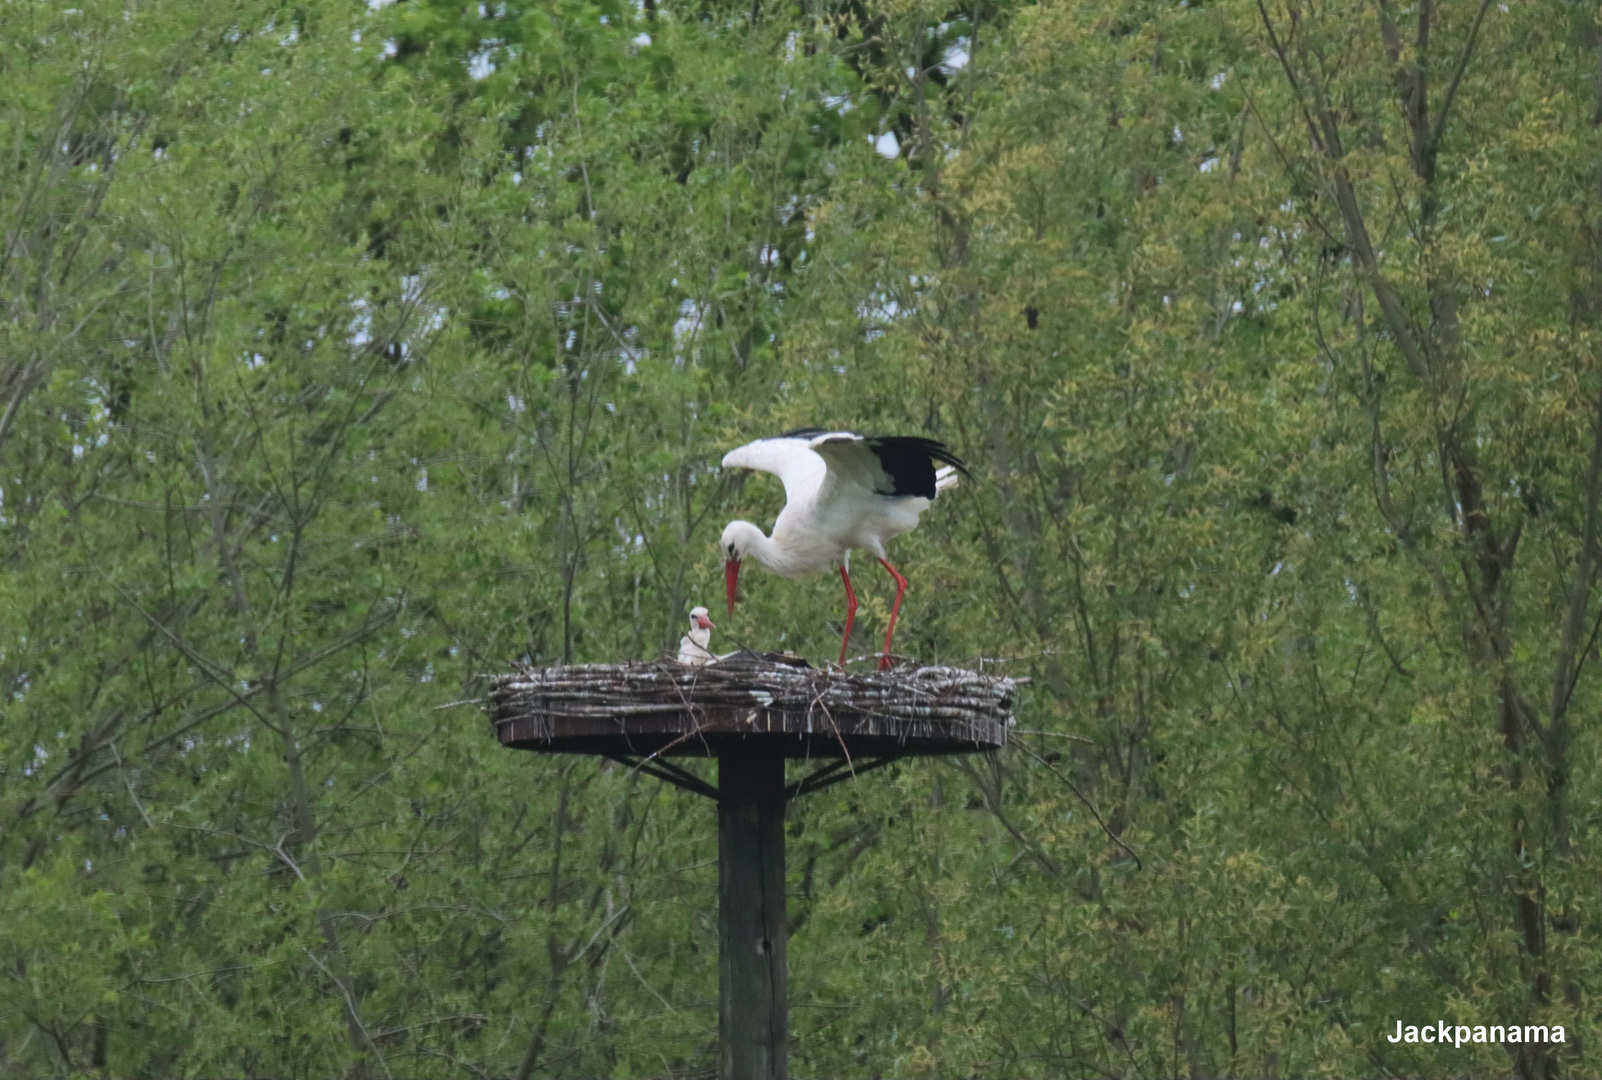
(751,712)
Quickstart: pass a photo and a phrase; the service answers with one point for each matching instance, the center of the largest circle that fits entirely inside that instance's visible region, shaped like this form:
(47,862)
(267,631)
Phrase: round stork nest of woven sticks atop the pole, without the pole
(771,699)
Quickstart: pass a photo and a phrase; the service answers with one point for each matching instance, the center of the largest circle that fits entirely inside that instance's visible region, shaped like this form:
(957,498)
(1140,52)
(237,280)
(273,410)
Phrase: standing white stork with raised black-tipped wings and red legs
(842,491)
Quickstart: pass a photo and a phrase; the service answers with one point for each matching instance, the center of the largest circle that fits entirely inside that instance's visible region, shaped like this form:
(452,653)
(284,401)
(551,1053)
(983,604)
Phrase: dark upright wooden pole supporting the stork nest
(754,929)
